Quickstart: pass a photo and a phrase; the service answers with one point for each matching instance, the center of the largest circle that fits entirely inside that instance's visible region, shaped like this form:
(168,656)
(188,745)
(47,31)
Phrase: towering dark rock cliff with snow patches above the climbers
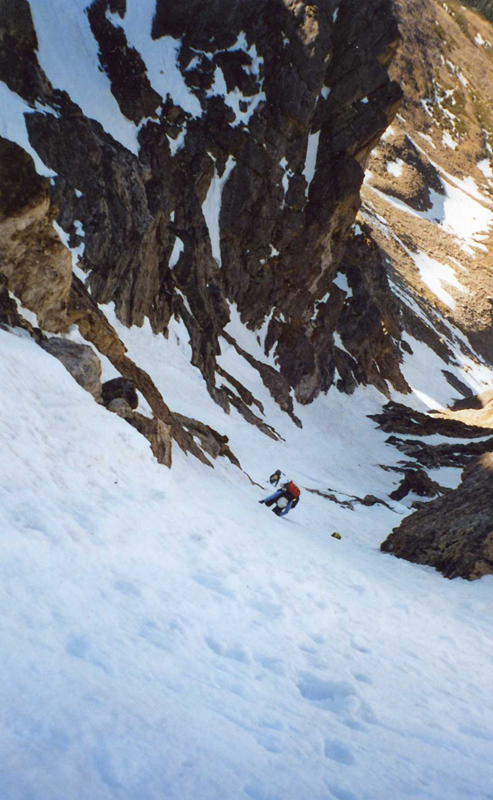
(293,95)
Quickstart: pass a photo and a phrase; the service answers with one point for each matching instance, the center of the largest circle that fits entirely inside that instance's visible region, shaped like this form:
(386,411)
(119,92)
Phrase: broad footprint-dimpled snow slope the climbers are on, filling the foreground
(164,636)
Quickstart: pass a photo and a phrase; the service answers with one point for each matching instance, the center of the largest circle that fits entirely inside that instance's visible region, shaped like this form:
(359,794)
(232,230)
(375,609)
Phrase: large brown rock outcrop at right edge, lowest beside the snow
(454,533)
